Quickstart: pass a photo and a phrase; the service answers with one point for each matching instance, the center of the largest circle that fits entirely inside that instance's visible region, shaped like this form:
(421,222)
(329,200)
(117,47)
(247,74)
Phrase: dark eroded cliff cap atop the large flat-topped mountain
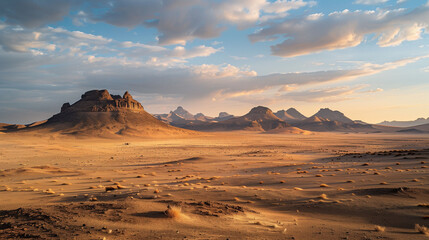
(102,101)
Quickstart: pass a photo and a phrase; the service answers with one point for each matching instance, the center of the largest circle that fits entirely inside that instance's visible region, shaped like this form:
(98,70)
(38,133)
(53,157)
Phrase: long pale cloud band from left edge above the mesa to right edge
(81,60)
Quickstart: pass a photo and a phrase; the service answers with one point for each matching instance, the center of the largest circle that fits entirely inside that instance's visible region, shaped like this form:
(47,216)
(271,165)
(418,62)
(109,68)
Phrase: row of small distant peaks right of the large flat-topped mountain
(263,119)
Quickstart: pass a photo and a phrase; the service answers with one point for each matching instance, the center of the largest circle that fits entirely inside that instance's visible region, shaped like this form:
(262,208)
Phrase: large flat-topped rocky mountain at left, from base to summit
(98,113)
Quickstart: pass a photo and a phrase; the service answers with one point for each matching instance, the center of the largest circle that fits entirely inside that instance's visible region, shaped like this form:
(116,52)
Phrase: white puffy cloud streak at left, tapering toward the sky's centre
(44,40)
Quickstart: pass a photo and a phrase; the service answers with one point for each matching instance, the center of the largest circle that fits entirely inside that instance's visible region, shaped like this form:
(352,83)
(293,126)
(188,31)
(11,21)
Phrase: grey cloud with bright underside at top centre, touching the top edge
(181,21)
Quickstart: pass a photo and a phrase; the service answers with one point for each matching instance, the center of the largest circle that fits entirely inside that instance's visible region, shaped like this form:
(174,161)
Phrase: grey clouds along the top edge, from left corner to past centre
(177,22)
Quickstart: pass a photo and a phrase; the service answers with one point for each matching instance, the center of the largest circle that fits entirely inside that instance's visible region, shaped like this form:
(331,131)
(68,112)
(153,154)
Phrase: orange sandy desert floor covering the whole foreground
(219,186)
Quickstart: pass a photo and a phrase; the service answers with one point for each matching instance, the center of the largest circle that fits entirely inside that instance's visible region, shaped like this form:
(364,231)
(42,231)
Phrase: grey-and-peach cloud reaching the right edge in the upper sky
(344,29)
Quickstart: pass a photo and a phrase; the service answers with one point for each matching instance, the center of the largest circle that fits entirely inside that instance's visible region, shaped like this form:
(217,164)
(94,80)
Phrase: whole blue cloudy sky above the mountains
(366,58)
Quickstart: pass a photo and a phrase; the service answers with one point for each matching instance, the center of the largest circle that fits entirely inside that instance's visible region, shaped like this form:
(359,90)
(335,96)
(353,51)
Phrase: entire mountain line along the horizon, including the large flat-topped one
(98,113)
